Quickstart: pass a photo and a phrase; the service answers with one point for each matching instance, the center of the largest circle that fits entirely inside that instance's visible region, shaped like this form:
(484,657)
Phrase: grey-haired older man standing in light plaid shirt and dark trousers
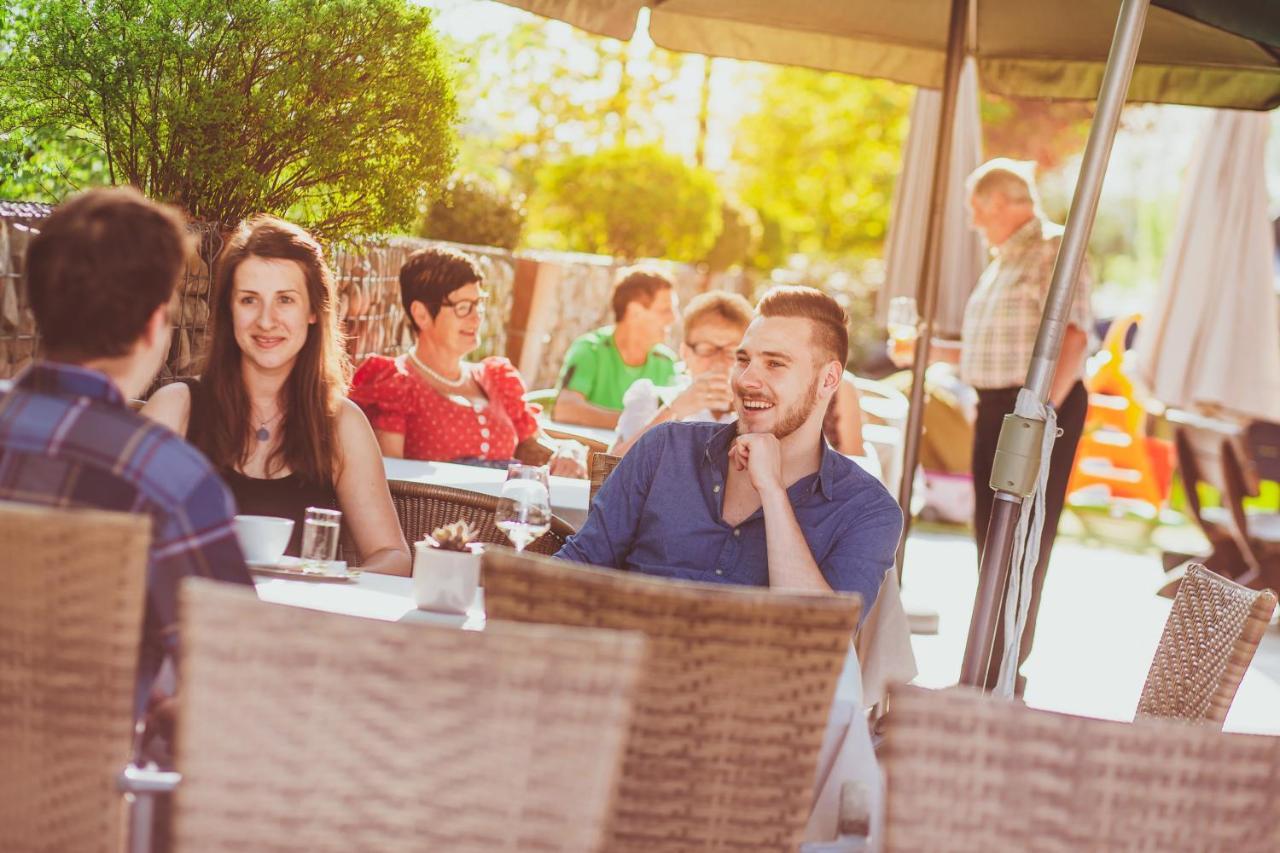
(998,339)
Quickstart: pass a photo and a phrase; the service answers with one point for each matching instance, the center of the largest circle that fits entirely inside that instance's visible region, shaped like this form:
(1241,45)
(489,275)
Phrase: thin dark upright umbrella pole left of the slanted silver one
(927,290)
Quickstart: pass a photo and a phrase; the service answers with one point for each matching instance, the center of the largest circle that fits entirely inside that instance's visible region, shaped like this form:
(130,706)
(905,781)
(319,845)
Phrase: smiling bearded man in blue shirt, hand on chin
(765,501)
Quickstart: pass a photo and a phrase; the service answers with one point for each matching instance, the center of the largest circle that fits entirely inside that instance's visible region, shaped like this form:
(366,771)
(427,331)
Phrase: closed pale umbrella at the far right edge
(1197,349)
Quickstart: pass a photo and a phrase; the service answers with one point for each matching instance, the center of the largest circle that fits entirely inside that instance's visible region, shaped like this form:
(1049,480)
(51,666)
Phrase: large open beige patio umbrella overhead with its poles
(1210,53)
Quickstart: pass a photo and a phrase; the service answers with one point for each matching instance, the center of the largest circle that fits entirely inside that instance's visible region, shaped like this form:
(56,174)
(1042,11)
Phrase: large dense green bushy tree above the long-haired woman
(339,113)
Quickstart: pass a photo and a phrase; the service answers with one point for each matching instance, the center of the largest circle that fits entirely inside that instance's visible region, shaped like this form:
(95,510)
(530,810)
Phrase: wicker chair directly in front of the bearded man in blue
(732,709)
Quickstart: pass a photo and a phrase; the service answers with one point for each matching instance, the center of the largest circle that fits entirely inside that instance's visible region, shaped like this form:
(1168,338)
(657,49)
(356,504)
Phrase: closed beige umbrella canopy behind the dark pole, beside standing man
(963,249)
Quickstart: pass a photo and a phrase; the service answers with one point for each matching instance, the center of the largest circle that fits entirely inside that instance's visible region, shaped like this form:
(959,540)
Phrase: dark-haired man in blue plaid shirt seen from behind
(100,277)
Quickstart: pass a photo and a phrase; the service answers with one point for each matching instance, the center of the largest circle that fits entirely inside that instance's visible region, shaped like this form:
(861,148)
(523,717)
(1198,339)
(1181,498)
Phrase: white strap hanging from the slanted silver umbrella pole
(1027,539)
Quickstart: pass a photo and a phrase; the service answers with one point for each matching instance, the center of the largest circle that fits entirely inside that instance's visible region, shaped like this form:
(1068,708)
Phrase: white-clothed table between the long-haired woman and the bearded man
(847,754)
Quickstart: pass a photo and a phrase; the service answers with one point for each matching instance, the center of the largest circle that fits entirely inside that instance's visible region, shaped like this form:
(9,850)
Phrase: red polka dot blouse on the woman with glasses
(441,428)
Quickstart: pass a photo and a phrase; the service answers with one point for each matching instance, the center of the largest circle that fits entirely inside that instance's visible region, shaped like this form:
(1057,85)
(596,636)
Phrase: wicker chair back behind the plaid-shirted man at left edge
(72,594)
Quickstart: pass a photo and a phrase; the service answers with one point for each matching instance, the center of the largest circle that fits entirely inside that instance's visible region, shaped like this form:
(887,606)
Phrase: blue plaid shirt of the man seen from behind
(68,440)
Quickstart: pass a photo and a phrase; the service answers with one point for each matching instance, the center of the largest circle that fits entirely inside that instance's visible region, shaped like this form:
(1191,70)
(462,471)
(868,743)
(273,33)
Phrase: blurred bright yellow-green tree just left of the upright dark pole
(820,158)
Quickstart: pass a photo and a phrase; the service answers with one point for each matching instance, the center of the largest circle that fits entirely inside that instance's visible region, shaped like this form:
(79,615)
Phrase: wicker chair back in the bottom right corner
(972,773)
